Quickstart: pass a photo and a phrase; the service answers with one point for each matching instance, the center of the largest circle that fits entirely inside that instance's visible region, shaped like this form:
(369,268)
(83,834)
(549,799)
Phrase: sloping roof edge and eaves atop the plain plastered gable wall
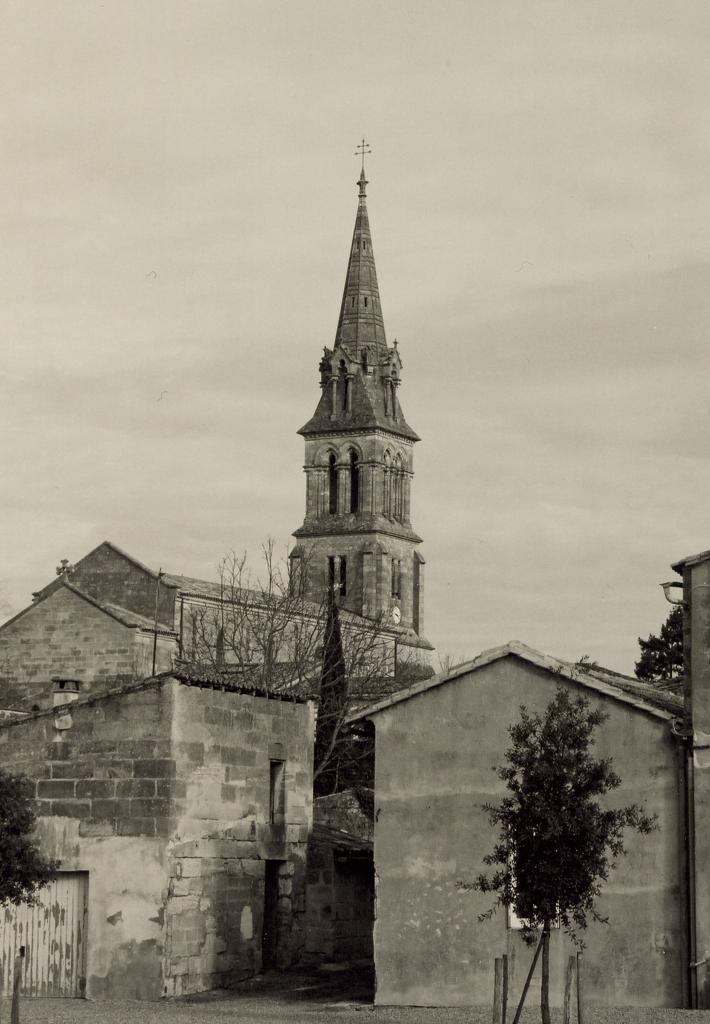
(623,689)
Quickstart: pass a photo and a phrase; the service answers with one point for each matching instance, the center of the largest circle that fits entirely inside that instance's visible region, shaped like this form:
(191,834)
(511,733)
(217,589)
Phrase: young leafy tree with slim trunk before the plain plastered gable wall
(557,841)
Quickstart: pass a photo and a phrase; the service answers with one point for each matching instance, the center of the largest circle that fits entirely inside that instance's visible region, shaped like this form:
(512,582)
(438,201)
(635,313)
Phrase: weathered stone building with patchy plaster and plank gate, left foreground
(183,805)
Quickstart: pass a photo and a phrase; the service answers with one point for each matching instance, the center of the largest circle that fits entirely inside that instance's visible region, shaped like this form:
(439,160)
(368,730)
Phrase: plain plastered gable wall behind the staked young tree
(434,771)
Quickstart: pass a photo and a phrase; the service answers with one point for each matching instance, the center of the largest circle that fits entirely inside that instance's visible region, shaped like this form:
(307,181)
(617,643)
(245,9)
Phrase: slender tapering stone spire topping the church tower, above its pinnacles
(361,326)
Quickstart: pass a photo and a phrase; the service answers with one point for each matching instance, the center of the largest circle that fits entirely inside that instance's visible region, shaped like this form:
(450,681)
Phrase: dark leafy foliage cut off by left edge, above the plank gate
(23,868)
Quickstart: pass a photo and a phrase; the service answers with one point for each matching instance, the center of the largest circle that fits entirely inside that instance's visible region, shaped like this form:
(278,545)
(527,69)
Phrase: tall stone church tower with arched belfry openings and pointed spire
(357,536)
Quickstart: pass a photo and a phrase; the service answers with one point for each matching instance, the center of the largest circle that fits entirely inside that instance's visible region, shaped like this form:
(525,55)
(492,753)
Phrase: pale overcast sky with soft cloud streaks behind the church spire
(177,204)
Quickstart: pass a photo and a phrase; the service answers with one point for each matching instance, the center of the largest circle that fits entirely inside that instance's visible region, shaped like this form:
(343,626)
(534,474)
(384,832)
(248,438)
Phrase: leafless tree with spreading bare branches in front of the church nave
(262,630)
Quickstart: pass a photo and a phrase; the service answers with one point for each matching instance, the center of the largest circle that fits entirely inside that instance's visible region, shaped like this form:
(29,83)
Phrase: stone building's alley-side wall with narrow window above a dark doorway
(224,743)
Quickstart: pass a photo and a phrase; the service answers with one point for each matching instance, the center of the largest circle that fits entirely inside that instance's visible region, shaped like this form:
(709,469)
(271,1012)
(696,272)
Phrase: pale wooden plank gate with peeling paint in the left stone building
(54,934)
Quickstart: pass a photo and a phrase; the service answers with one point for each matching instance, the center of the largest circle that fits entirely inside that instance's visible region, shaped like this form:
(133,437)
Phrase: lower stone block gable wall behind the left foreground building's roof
(64,635)
